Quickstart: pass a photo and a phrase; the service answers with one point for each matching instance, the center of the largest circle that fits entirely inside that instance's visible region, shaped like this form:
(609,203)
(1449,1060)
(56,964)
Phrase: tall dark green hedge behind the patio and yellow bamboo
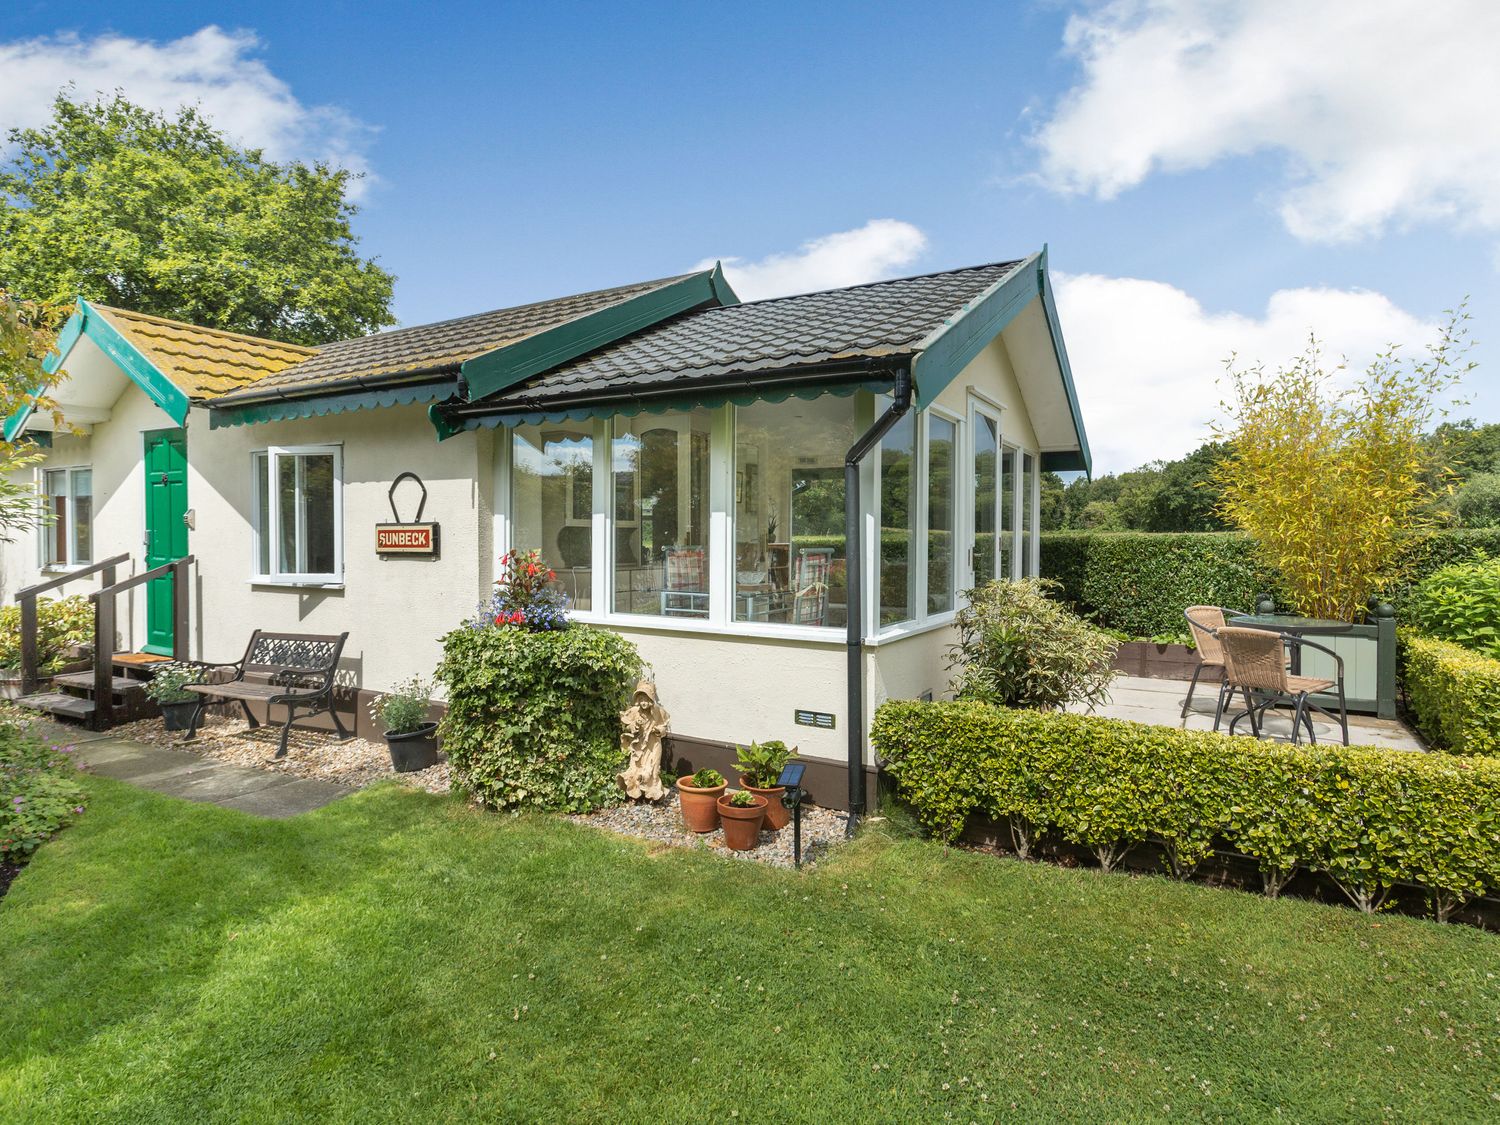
(1141,583)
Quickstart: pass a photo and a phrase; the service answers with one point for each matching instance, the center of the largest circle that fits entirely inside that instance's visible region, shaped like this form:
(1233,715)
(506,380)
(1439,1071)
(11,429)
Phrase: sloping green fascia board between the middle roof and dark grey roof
(496,371)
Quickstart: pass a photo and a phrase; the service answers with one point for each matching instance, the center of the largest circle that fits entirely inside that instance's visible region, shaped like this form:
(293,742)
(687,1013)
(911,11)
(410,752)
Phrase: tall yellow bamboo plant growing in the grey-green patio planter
(1333,484)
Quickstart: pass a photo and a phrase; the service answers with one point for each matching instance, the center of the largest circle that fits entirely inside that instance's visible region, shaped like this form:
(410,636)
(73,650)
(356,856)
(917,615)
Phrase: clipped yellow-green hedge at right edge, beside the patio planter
(1454,694)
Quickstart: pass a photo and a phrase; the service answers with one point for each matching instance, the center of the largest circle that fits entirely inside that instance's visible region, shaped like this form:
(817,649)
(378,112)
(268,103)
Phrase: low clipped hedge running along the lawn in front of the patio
(1367,818)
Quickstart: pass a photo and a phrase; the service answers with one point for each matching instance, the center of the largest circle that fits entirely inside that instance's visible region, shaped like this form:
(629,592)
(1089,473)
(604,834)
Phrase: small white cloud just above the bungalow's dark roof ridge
(871,253)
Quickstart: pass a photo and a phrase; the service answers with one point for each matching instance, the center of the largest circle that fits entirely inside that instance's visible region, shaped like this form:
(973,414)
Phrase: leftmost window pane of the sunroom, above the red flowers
(553,502)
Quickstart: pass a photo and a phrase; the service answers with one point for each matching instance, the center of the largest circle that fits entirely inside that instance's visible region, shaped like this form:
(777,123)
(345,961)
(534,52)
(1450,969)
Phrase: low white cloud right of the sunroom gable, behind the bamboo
(1148,358)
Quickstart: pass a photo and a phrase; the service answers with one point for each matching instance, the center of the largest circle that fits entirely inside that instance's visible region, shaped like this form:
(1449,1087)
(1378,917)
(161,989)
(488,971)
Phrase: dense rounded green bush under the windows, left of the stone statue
(535,718)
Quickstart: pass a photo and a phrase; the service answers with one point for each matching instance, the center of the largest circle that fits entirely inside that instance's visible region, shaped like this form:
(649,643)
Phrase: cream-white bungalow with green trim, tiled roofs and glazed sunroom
(694,467)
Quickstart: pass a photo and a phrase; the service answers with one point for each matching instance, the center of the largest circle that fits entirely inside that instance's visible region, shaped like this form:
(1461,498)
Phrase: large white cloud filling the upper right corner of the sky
(1384,110)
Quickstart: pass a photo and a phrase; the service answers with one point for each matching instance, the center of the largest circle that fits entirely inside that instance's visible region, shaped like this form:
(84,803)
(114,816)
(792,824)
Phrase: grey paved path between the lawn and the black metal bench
(178,773)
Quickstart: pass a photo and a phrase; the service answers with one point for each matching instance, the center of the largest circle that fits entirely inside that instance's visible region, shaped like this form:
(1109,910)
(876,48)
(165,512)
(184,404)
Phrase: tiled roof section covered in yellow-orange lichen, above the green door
(203,362)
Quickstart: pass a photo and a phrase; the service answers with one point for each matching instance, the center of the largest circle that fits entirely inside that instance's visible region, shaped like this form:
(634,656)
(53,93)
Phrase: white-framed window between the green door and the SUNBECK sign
(299,515)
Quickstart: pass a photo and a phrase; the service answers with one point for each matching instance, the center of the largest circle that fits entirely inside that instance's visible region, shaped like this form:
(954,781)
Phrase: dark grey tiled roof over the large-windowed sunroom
(881,319)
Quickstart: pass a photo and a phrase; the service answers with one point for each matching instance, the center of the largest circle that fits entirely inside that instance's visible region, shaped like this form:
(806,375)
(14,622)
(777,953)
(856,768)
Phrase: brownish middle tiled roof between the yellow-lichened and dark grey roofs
(431,349)
